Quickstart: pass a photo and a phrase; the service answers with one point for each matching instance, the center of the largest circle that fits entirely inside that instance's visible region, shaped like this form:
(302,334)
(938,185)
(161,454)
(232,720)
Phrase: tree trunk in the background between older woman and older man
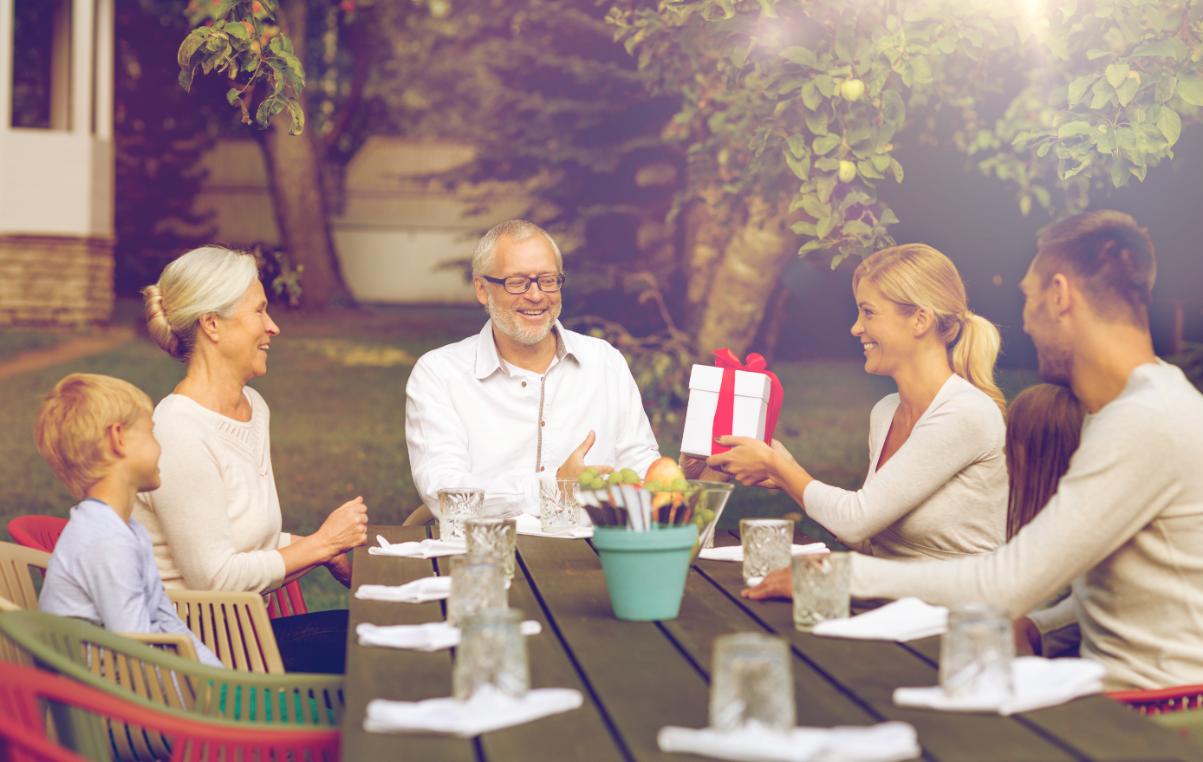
(294,172)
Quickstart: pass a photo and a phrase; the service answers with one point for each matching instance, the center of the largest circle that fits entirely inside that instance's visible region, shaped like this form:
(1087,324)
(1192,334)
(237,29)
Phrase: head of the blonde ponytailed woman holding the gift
(893,285)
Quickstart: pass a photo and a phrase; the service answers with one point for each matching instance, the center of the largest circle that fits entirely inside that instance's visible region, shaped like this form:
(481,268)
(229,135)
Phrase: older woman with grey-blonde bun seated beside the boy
(216,523)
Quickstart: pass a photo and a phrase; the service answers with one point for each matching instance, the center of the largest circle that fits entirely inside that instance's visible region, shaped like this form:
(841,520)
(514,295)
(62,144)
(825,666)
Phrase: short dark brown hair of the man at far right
(1111,256)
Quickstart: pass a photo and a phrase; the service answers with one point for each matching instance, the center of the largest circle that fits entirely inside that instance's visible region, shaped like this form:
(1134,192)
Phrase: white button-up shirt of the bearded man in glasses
(475,421)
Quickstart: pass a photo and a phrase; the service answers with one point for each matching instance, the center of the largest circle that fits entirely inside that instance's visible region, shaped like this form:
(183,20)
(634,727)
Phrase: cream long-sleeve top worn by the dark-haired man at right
(1125,527)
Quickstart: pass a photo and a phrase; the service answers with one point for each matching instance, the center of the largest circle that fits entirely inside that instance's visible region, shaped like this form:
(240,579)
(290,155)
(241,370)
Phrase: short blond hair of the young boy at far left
(74,424)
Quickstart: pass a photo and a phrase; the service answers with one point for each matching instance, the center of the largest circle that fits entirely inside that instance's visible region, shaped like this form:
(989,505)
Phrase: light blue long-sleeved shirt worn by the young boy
(103,571)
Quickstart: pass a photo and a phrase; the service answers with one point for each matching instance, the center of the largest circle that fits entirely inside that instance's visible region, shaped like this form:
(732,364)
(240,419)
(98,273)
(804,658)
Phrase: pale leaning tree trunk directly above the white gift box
(745,279)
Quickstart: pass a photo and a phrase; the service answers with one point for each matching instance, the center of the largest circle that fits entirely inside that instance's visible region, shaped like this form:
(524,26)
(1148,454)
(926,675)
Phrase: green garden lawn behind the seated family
(337,387)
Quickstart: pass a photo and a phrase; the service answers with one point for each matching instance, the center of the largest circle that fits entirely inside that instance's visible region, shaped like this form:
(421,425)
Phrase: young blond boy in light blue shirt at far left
(96,433)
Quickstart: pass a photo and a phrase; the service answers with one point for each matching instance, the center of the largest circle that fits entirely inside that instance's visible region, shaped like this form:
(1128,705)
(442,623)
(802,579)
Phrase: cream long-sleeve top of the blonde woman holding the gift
(944,494)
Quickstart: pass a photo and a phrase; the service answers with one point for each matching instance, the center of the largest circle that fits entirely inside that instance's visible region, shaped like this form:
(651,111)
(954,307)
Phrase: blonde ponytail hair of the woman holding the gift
(916,275)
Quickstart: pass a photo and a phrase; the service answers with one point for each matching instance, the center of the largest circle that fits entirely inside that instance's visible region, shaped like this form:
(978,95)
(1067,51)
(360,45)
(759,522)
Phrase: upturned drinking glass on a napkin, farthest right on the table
(976,654)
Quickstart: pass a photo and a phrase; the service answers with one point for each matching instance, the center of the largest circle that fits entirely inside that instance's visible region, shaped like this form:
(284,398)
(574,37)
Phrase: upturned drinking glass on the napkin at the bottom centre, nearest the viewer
(752,681)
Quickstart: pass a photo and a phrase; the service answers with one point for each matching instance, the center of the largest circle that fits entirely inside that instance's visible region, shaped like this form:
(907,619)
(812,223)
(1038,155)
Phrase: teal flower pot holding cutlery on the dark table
(645,572)
